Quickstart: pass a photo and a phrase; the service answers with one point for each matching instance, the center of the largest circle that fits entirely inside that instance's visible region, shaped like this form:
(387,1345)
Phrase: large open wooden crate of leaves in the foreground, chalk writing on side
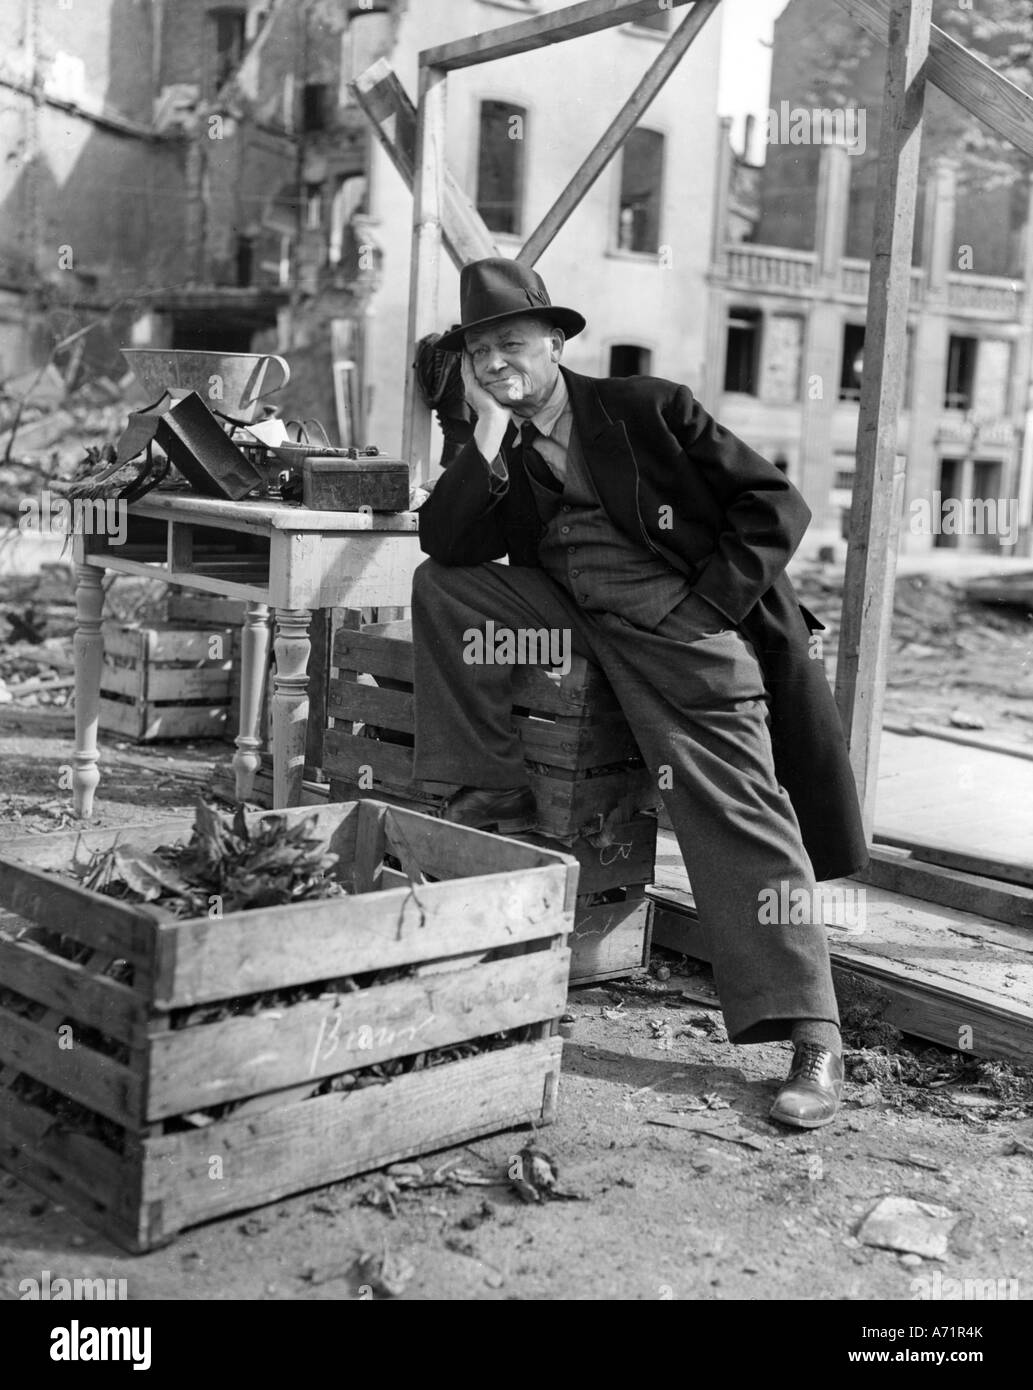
(156,1120)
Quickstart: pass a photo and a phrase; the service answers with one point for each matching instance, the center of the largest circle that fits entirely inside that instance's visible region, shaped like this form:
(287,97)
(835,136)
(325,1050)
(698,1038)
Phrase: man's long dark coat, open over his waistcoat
(676,480)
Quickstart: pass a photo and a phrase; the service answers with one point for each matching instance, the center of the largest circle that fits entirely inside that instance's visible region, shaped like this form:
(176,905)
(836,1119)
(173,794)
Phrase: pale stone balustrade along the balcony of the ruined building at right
(782,270)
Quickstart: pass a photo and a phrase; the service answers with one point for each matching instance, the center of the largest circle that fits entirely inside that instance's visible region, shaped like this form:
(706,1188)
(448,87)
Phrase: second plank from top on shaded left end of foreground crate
(72,989)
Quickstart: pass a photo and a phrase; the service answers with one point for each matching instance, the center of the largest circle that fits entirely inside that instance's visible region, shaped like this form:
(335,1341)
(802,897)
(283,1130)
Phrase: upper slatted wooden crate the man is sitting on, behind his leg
(582,758)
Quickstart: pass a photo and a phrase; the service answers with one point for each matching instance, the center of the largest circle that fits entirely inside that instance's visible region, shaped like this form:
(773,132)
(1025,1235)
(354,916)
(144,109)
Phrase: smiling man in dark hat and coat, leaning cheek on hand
(657,541)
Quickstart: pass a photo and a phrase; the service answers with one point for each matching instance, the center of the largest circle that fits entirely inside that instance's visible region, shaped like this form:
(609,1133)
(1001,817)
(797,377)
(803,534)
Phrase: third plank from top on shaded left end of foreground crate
(87,1077)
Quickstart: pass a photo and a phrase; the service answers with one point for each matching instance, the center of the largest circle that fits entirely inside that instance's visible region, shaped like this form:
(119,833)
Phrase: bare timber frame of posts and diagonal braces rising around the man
(444,218)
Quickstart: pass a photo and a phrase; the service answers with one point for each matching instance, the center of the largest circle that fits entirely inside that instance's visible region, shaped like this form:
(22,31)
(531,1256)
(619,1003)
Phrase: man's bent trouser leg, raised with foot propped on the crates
(462,708)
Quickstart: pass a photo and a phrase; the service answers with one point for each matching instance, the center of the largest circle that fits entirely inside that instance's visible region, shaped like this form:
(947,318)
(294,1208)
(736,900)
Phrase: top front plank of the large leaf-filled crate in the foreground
(277,947)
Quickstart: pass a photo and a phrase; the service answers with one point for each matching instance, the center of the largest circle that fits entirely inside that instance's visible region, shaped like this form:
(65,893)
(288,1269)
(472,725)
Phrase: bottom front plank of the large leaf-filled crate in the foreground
(334,1136)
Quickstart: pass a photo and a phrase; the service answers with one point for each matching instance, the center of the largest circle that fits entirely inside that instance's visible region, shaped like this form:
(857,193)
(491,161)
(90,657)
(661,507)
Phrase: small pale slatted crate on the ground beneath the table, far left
(162,682)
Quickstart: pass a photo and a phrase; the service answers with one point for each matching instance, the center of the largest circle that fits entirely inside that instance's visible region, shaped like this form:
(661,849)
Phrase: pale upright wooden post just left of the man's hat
(423,275)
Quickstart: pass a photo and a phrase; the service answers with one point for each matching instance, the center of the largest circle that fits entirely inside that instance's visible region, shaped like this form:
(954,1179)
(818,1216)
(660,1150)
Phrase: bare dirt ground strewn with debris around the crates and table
(656,1211)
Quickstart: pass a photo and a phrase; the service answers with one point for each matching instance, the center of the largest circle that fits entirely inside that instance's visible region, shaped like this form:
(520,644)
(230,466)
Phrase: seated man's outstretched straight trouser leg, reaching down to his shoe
(697,707)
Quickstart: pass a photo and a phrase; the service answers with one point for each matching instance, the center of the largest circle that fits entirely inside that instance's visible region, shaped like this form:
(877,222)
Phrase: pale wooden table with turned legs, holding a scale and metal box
(270,555)
